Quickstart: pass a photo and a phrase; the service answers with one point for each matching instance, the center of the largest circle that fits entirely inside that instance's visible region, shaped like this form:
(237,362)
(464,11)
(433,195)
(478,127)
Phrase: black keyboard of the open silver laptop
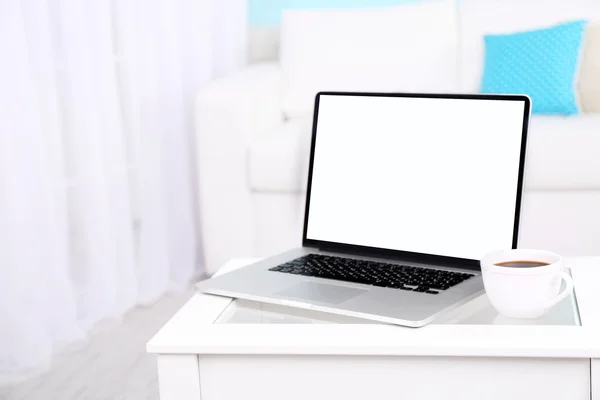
(401,277)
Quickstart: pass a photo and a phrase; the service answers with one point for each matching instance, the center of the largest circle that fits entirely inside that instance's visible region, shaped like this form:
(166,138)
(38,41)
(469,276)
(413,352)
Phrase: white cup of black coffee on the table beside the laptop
(524,292)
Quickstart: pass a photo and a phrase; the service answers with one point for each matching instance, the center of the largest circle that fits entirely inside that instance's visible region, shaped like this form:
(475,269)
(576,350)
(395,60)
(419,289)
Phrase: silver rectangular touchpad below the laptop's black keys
(321,292)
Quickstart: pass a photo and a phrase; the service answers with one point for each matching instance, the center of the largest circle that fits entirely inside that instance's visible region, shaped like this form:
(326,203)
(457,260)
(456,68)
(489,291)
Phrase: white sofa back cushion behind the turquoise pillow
(481,17)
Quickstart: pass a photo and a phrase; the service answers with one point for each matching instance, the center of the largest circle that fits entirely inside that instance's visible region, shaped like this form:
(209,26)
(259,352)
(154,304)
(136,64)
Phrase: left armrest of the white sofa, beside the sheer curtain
(229,113)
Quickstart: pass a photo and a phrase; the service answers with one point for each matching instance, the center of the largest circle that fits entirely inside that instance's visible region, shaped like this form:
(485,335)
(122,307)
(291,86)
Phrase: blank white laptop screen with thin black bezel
(439,176)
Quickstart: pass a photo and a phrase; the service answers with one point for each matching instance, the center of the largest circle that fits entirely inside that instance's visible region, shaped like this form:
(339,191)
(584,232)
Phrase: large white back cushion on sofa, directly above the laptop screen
(406,48)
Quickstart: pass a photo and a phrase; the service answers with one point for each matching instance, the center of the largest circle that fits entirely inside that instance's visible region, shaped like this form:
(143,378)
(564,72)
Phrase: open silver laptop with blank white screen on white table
(406,192)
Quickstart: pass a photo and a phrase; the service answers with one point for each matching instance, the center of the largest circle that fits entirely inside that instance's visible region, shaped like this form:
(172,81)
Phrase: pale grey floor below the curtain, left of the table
(113,364)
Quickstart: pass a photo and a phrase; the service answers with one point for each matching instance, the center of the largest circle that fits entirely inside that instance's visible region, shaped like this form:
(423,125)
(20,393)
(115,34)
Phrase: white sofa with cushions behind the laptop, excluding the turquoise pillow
(253,128)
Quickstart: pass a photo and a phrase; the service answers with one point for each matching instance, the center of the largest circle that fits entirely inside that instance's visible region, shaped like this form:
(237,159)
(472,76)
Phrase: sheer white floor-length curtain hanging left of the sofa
(97,173)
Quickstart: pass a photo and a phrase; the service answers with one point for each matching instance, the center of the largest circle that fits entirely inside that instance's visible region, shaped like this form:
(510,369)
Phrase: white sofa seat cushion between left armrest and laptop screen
(278,161)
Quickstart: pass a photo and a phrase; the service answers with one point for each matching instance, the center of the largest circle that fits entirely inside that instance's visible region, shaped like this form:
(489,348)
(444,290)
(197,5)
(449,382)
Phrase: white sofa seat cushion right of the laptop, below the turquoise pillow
(562,152)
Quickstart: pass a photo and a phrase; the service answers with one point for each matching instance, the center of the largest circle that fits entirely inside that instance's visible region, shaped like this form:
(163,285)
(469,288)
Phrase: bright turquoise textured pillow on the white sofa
(542,64)
